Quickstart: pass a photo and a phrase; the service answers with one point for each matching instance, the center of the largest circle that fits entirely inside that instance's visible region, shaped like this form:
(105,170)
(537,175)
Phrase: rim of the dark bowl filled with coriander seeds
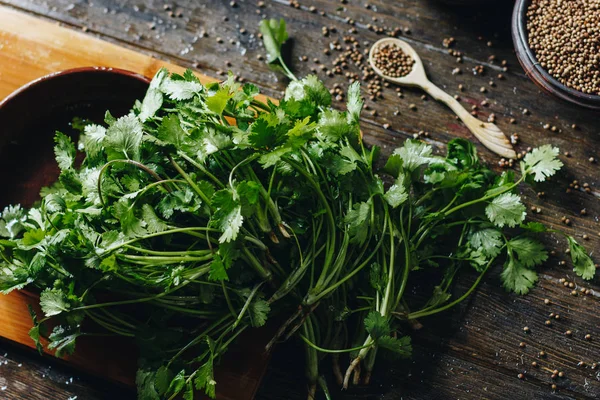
(521,34)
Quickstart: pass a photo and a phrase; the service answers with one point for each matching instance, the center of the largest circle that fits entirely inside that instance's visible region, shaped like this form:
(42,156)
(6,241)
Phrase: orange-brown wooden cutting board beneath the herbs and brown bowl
(31,48)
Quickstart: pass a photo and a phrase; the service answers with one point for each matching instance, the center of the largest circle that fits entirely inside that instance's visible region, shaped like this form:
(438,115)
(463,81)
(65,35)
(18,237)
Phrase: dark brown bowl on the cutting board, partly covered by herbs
(31,115)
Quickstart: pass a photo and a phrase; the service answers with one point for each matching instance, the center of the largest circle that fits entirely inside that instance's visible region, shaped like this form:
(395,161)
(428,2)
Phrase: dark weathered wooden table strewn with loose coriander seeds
(472,351)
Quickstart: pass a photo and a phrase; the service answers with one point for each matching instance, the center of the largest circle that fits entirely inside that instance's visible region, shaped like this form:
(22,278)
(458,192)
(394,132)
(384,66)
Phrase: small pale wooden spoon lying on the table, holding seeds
(487,133)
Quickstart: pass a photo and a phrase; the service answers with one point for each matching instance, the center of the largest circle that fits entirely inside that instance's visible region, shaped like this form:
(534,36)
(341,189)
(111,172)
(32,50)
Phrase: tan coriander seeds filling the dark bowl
(565,37)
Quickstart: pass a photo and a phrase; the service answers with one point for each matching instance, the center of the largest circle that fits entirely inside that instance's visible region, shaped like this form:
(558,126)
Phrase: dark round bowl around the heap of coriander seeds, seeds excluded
(532,68)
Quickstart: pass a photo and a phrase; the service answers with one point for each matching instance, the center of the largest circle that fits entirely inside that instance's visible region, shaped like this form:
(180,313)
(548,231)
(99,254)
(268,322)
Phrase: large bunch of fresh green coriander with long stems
(206,212)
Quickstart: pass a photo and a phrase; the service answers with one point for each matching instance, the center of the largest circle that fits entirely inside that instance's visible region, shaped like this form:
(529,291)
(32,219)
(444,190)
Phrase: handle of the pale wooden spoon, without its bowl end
(487,133)
